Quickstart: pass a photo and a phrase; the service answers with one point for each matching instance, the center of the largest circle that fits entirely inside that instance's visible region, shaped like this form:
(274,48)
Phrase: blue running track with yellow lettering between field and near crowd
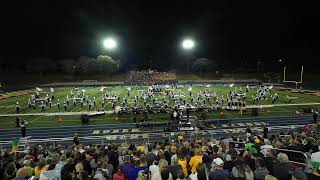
(122,132)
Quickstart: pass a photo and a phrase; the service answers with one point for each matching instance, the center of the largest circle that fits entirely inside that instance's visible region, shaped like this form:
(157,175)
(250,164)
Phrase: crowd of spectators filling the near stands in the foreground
(204,159)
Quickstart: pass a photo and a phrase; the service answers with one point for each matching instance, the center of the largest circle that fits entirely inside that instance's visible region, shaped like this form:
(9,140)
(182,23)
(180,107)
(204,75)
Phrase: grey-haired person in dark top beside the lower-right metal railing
(281,169)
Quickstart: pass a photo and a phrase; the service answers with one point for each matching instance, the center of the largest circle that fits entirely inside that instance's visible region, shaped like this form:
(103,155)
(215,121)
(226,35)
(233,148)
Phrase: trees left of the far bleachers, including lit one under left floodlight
(103,64)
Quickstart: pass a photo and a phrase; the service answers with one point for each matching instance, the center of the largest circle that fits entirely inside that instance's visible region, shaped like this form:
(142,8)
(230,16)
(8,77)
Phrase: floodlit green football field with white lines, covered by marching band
(54,116)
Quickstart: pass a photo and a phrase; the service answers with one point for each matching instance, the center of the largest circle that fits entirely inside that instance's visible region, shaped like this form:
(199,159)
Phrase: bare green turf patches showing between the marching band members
(7,106)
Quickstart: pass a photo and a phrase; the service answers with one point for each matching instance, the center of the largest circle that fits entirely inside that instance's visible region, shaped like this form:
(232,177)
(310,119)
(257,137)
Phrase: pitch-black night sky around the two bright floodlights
(224,30)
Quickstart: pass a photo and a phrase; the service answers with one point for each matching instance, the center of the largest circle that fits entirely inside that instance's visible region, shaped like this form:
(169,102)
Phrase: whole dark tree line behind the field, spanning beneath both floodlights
(100,65)
